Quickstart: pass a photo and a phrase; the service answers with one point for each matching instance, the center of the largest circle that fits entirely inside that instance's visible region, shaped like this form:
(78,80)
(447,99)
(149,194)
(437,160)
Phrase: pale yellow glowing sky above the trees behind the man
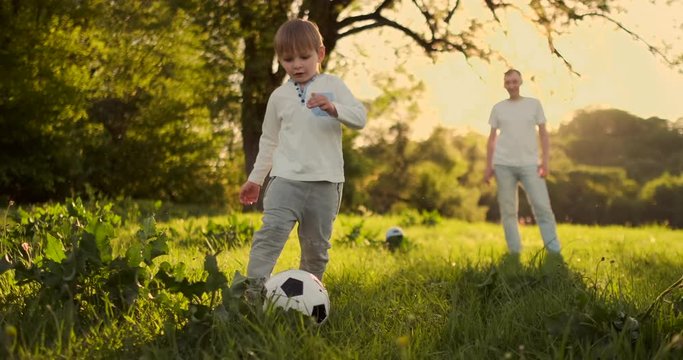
(616,70)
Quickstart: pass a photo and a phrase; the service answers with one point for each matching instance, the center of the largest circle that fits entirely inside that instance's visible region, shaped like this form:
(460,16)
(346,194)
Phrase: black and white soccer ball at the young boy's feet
(301,291)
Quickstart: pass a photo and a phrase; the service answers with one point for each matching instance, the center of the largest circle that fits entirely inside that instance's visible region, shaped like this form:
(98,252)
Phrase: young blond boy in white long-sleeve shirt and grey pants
(301,148)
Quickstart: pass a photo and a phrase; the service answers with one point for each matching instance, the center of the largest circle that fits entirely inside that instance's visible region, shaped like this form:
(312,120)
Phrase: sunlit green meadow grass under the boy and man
(452,294)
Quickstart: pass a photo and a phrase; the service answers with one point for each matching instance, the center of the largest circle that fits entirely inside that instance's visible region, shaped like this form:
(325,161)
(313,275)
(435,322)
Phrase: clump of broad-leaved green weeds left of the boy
(63,259)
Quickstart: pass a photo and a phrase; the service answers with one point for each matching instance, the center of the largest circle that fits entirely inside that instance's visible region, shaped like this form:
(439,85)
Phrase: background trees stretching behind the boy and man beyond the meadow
(164,100)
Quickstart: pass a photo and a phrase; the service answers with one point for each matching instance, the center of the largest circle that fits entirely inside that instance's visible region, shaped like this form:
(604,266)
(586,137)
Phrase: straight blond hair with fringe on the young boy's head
(297,36)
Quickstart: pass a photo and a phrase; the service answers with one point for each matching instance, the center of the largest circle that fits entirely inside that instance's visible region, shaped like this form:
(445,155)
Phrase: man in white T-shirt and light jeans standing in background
(513,157)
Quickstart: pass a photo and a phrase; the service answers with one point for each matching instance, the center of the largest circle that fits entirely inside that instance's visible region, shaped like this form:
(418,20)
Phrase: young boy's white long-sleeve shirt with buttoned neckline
(303,144)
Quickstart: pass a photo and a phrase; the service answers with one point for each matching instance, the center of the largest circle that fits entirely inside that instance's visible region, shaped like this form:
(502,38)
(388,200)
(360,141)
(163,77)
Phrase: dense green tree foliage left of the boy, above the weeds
(121,96)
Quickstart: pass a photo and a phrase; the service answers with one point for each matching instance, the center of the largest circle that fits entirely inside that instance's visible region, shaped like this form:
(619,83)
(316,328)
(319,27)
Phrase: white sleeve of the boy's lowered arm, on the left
(269,140)
